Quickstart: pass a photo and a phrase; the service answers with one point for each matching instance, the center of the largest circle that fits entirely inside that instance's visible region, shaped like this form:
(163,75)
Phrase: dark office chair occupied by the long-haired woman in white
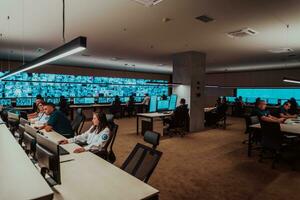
(106,154)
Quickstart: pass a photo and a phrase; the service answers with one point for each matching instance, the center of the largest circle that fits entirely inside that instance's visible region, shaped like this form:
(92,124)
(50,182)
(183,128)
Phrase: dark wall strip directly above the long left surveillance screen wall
(86,71)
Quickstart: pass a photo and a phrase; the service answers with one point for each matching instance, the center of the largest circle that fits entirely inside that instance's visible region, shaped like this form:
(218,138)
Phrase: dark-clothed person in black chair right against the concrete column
(179,117)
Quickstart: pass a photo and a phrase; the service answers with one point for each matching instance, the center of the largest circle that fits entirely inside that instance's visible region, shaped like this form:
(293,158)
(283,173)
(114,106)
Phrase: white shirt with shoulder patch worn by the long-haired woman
(95,141)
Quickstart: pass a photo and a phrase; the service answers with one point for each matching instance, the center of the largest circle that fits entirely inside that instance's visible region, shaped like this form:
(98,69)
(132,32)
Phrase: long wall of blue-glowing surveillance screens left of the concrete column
(56,85)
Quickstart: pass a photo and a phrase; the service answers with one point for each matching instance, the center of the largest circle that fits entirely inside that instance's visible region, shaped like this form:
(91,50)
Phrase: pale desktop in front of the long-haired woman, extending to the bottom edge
(90,177)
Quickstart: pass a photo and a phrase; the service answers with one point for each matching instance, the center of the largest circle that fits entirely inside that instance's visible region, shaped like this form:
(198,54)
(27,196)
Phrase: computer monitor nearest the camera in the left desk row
(47,156)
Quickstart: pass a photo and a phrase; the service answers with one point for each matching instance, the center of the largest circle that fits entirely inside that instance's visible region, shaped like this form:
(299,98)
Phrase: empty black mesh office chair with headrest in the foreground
(143,159)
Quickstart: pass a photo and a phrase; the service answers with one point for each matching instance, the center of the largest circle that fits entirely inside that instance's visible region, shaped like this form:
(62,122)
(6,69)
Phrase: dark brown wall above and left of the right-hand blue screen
(265,78)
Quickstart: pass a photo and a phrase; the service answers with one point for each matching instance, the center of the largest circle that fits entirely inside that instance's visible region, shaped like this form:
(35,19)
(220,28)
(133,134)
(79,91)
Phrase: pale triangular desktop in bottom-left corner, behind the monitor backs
(19,179)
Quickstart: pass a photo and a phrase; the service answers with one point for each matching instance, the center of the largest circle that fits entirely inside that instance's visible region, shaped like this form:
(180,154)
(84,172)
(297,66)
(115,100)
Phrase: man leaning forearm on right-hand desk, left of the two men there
(264,114)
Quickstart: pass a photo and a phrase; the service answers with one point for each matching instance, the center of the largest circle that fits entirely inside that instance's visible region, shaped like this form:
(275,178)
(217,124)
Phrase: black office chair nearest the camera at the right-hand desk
(273,141)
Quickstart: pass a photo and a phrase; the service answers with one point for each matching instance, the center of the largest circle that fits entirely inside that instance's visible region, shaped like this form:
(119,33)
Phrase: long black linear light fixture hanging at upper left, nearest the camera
(72,47)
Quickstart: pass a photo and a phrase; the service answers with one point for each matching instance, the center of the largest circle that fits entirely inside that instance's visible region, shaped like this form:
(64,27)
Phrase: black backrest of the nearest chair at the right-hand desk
(272,137)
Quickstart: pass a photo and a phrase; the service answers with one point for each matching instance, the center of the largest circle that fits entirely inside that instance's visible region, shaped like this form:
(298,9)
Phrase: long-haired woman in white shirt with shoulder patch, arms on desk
(95,138)
